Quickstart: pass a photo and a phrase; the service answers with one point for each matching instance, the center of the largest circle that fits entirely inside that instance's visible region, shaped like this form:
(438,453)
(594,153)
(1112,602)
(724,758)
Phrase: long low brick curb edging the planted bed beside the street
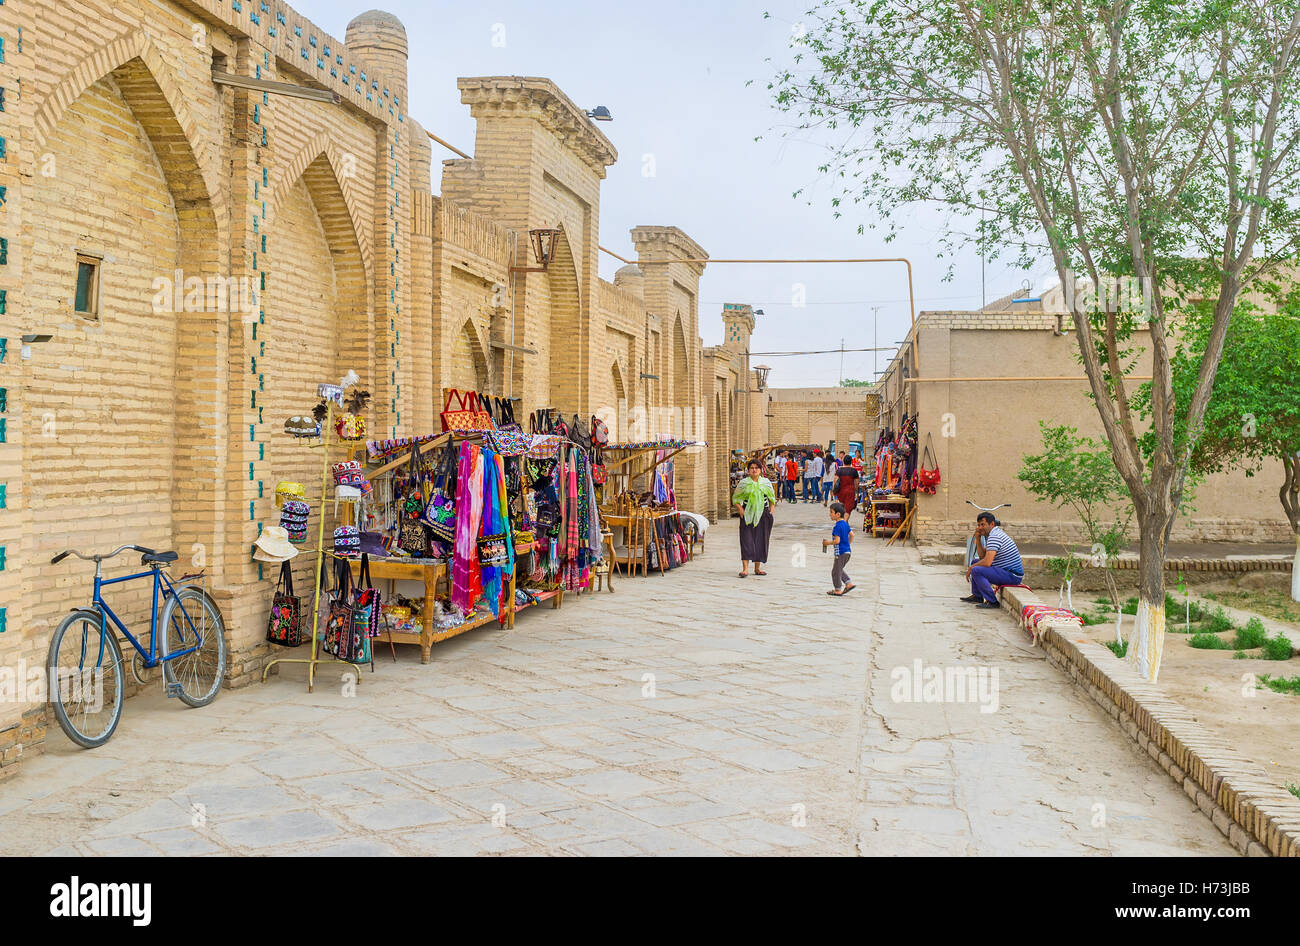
(1259,818)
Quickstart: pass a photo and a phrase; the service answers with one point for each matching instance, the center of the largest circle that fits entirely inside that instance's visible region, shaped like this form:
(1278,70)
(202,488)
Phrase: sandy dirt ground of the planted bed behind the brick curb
(1221,692)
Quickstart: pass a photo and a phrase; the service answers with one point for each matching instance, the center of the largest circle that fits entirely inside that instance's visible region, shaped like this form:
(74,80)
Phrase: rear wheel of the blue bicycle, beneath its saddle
(201,672)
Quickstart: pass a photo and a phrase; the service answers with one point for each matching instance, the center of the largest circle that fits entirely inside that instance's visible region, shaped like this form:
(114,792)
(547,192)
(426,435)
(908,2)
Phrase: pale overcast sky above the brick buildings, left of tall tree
(725,168)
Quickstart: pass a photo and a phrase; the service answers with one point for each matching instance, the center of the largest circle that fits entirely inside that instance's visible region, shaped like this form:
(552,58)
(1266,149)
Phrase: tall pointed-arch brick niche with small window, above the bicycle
(135,375)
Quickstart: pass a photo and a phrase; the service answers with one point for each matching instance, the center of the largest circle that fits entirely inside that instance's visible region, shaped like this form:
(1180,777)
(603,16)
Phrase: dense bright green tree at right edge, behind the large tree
(1255,414)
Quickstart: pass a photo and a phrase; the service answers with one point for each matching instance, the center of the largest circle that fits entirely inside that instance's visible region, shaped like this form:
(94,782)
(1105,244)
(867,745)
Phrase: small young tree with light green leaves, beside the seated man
(1077,472)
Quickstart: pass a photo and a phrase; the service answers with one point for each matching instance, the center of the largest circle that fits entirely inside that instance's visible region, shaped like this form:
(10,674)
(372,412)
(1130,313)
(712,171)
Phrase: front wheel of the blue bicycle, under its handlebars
(85,691)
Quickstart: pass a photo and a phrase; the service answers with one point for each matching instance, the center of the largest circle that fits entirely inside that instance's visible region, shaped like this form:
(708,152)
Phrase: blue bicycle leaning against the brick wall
(85,663)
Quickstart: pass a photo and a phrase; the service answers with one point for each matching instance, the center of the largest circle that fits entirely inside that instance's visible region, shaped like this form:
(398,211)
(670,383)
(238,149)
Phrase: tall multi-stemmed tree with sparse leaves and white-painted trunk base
(1146,146)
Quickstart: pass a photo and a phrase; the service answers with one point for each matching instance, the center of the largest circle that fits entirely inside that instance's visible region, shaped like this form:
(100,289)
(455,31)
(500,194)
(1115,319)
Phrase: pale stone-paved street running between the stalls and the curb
(690,714)
